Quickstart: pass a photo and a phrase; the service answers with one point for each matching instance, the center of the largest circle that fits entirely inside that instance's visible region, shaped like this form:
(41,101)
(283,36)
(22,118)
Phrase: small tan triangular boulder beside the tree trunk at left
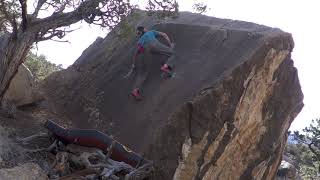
(22,88)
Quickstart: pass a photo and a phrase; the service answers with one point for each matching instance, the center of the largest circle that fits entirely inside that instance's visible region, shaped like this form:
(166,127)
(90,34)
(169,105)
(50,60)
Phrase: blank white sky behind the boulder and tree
(300,18)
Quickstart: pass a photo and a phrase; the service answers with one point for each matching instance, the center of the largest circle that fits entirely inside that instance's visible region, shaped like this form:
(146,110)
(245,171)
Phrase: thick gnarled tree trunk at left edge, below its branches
(13,51)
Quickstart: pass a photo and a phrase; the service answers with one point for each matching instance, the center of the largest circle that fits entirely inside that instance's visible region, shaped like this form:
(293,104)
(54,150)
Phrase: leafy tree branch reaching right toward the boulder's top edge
(106,13)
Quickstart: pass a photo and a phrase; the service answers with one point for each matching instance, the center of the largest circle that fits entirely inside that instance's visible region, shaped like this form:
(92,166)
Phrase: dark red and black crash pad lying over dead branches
(96,139)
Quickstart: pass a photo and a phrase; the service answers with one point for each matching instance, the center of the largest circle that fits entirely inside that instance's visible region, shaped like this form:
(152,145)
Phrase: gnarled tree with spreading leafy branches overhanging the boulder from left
(22,26)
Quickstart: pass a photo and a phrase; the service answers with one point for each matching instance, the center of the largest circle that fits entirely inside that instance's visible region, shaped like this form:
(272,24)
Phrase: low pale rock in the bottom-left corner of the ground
(28,171)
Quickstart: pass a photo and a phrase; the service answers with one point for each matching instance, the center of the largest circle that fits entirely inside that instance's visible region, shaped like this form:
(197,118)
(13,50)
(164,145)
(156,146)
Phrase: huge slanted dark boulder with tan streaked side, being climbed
(224,115)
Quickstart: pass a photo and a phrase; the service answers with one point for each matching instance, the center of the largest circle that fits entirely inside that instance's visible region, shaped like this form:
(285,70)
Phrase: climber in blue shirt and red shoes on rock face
(146,46)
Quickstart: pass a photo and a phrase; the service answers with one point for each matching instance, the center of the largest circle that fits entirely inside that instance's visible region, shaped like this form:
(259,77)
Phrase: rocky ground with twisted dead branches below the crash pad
(28,153)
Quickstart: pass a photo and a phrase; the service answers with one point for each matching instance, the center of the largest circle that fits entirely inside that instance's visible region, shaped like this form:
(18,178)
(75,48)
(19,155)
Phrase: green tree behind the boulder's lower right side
(311,140)
